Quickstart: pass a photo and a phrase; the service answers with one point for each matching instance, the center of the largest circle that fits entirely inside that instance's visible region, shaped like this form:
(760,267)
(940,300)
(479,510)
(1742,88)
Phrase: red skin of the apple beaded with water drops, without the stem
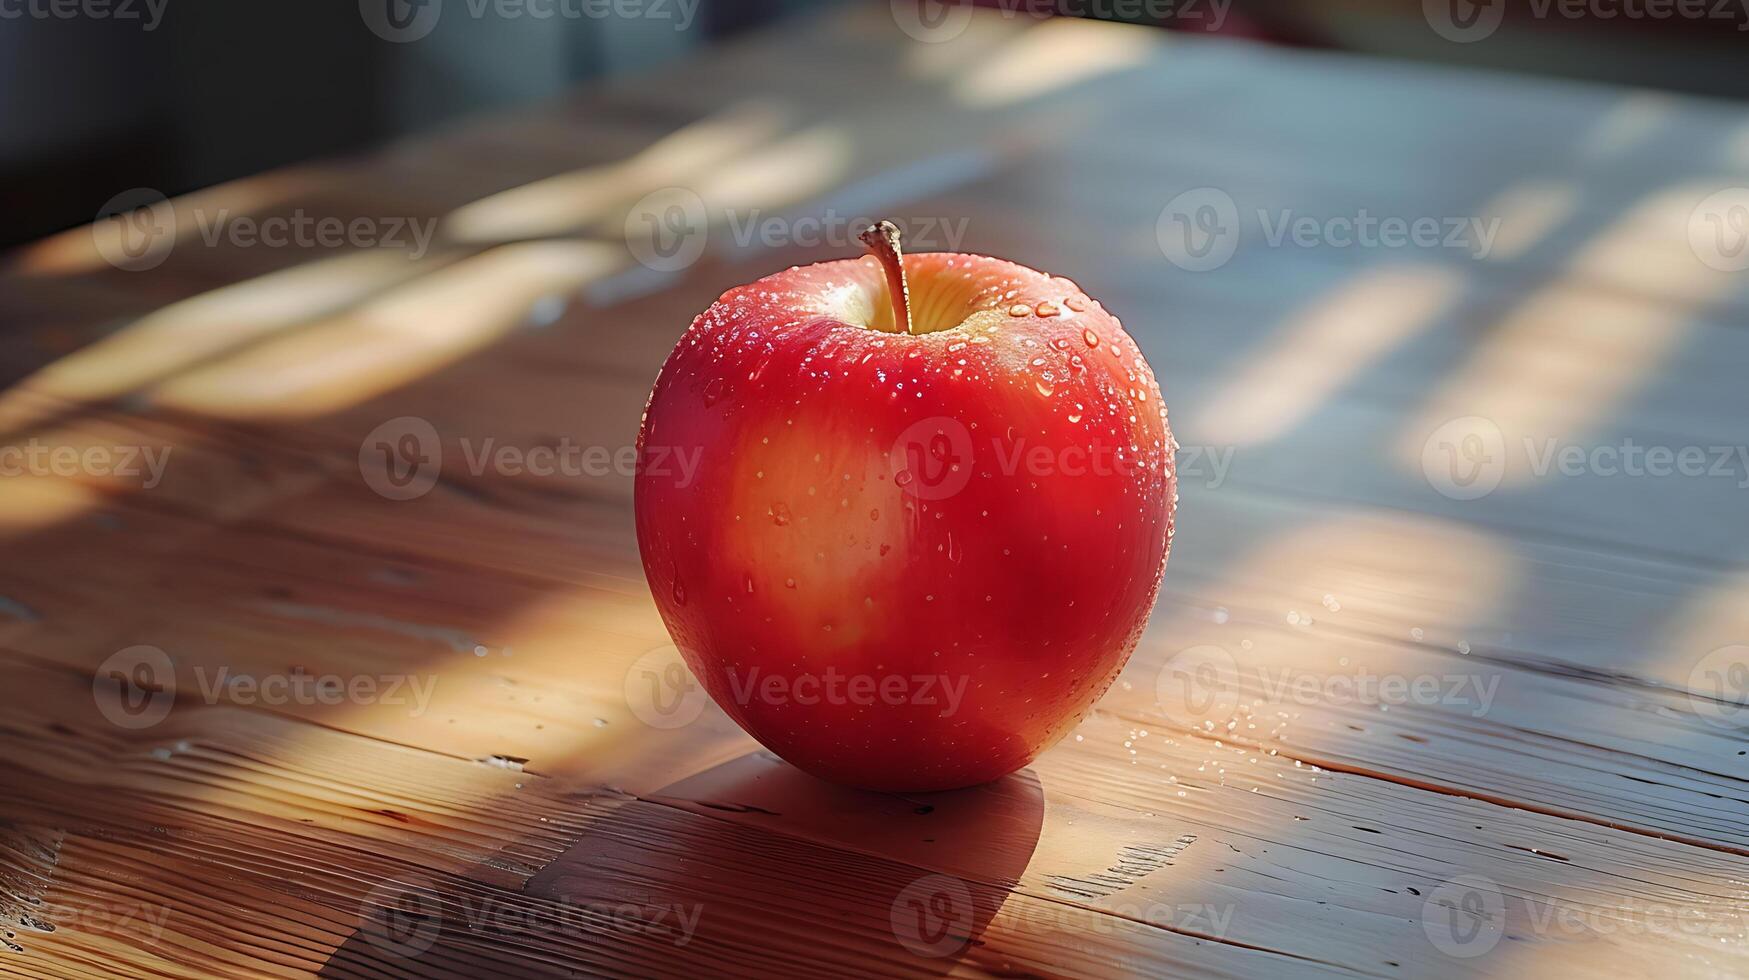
(986,508)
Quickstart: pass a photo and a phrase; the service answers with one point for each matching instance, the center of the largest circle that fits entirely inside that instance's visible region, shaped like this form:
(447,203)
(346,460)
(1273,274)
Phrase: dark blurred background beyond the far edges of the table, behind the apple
(178,95)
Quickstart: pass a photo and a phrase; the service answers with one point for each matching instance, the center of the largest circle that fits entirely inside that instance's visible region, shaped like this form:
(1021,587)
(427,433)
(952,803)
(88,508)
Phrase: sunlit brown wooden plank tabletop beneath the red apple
(1472,734)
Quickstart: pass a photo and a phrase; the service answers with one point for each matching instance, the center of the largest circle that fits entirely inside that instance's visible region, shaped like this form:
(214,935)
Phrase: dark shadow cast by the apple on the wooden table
(746,869)
